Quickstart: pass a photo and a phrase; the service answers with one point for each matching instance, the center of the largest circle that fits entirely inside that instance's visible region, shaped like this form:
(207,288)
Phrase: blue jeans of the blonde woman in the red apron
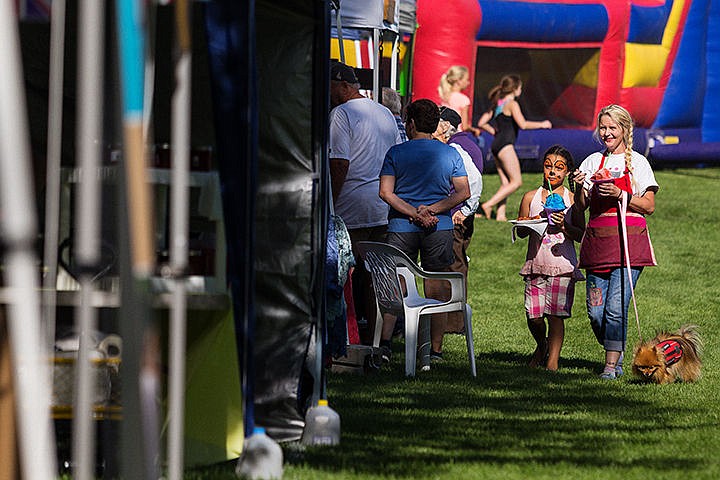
(608,301)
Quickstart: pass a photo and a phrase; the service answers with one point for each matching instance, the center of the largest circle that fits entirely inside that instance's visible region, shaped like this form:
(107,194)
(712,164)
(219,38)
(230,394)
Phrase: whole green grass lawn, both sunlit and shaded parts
(512,422)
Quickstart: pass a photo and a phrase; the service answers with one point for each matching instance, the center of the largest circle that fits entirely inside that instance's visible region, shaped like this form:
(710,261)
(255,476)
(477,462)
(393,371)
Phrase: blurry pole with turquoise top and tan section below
(145,342)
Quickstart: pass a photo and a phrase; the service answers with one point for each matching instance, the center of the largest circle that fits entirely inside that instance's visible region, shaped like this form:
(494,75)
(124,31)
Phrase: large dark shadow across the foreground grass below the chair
(509,414)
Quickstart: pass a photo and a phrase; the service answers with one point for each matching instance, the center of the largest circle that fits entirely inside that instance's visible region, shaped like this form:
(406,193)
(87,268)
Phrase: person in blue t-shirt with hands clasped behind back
(421,180)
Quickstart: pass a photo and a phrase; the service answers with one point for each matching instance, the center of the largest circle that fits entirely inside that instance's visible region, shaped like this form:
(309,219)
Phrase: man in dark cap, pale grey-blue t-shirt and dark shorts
(361,132)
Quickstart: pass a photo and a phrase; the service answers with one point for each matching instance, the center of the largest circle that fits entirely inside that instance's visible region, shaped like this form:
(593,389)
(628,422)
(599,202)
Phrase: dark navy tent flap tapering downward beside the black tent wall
(231,47)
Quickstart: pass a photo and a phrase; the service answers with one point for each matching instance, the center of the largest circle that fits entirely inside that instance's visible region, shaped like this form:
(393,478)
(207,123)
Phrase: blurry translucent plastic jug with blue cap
(261,457)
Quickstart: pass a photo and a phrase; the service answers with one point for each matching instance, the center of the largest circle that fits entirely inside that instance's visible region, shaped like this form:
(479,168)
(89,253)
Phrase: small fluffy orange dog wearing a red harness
(669,357)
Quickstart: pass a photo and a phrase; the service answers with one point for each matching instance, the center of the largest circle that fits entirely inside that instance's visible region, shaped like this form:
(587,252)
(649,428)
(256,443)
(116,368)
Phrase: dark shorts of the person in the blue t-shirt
(435,248)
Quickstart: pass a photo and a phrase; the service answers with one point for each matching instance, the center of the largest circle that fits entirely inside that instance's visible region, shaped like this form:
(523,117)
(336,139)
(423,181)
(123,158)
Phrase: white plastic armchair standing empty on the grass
(387,265)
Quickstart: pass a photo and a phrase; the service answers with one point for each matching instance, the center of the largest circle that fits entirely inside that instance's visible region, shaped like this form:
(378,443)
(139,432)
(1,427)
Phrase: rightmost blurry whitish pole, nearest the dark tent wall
(179,241)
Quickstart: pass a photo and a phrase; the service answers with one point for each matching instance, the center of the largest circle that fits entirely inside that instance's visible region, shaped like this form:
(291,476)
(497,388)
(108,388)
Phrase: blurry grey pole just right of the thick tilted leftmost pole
(52,176)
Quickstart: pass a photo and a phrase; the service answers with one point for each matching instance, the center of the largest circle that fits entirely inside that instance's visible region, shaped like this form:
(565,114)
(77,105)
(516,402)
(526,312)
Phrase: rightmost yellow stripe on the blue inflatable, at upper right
(644,64)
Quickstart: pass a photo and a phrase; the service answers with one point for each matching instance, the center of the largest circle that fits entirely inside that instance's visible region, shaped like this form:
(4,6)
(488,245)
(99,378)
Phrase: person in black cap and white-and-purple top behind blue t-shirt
(463,215)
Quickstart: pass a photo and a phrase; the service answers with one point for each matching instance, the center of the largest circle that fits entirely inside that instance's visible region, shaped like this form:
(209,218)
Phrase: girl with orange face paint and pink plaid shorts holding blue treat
(550,270)
